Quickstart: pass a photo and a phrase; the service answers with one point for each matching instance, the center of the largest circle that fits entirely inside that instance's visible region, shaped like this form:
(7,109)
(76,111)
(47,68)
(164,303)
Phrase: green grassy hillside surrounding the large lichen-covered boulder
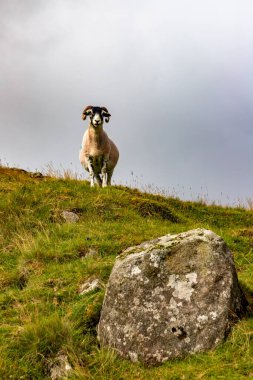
(44,261)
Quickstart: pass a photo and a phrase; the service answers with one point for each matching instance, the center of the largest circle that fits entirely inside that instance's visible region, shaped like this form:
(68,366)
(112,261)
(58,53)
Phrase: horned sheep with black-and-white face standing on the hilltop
(98,154)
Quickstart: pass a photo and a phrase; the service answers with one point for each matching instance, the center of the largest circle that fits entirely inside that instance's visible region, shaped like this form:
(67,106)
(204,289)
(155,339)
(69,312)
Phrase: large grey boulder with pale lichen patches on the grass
(171,296)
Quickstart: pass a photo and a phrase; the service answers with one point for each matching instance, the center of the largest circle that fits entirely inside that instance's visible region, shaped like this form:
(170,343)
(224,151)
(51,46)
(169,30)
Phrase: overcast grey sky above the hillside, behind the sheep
(177,77)
